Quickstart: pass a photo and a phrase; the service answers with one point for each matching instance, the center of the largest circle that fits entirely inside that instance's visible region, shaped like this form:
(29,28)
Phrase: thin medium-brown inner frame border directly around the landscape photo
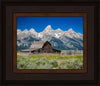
(84,15)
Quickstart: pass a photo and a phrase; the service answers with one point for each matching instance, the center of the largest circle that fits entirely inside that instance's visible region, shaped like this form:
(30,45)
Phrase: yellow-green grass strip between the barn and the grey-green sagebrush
(59,57)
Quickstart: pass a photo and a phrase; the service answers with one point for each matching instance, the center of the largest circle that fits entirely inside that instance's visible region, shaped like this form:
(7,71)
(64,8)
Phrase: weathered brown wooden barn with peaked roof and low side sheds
(39,47)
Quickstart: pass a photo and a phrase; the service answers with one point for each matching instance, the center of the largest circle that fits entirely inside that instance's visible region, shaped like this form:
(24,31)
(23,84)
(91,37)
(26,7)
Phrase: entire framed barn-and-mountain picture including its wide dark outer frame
(49,43)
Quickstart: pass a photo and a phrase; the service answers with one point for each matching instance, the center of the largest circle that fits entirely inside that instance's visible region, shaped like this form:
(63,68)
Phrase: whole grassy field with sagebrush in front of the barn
(49,61)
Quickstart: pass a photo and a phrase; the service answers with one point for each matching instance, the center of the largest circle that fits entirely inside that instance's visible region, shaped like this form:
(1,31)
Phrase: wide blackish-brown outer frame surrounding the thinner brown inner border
(9,77)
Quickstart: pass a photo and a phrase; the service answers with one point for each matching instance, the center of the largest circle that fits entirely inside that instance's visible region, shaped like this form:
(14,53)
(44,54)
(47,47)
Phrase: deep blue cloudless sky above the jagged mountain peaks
(40,23)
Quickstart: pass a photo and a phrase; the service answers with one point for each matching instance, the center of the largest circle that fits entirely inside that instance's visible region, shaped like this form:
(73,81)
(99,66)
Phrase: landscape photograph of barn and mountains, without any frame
(50,43)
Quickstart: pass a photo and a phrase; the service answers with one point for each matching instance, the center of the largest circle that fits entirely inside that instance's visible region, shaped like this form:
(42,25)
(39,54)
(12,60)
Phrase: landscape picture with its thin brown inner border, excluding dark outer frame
(50,50)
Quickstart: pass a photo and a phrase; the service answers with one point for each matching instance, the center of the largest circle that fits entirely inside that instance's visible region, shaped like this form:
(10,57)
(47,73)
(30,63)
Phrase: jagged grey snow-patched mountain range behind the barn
(62,40)
